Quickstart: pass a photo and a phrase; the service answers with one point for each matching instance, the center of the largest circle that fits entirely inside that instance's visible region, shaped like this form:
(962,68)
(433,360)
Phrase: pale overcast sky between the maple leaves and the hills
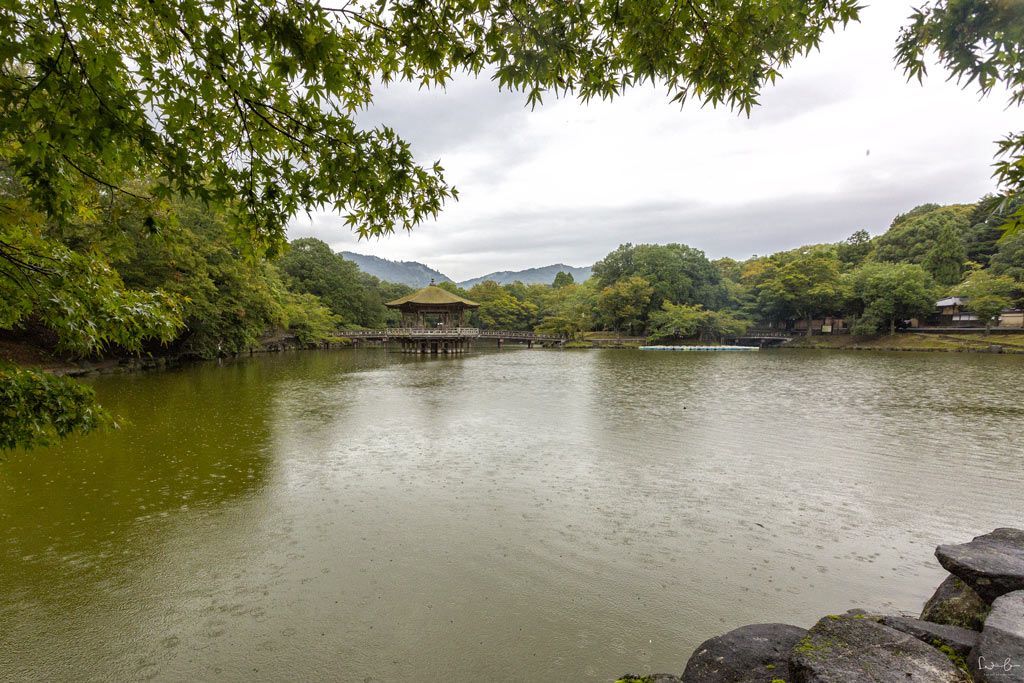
(842,143)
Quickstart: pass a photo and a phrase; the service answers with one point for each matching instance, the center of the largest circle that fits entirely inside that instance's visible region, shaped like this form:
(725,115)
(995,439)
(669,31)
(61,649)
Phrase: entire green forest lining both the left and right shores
(227,300)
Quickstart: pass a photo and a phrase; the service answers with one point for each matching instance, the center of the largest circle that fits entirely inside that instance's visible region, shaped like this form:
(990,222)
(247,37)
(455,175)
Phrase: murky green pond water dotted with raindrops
(517,516)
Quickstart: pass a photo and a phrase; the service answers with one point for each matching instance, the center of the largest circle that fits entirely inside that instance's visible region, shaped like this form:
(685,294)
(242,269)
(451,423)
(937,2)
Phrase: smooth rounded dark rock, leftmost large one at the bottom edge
(751,654)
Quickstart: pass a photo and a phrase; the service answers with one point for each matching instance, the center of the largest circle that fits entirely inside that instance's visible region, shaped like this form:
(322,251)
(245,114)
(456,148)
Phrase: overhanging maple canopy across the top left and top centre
(252,105)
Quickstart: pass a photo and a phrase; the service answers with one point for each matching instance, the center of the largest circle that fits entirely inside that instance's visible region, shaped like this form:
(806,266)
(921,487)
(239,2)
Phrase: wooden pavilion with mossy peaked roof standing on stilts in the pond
(434,321)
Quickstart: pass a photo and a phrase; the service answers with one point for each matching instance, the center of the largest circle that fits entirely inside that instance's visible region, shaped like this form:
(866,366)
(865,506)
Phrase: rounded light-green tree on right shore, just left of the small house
(884,293)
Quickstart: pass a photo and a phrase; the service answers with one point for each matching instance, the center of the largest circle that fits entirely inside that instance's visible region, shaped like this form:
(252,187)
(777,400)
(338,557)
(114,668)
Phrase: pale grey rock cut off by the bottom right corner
(999,657)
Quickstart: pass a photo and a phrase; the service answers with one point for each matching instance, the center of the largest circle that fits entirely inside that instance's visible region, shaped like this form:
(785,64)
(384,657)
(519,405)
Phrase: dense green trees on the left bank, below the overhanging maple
(225,298)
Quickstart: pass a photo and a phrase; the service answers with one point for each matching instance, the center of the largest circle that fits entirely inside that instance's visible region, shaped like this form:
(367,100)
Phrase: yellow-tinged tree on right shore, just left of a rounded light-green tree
(803,288)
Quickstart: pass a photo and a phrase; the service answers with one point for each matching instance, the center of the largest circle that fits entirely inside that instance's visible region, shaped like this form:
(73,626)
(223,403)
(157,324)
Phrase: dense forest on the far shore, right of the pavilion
(674,291)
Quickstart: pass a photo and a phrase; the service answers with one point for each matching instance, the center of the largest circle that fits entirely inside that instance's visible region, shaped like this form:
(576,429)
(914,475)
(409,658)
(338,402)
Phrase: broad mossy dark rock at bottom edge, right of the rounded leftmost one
(852,650)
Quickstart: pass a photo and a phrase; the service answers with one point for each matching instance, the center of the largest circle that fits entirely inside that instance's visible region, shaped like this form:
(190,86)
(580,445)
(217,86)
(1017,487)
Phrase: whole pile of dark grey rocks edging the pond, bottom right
(971,630)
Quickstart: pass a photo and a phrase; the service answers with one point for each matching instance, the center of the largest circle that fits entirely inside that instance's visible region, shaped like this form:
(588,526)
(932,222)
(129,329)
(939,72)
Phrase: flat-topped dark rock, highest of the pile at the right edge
(993,565)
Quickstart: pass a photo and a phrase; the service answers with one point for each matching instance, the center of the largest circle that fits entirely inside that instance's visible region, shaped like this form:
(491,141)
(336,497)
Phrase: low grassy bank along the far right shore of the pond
(912,341)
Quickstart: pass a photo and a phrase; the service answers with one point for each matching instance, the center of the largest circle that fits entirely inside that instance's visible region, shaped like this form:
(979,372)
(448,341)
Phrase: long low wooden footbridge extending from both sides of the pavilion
(449,340)
